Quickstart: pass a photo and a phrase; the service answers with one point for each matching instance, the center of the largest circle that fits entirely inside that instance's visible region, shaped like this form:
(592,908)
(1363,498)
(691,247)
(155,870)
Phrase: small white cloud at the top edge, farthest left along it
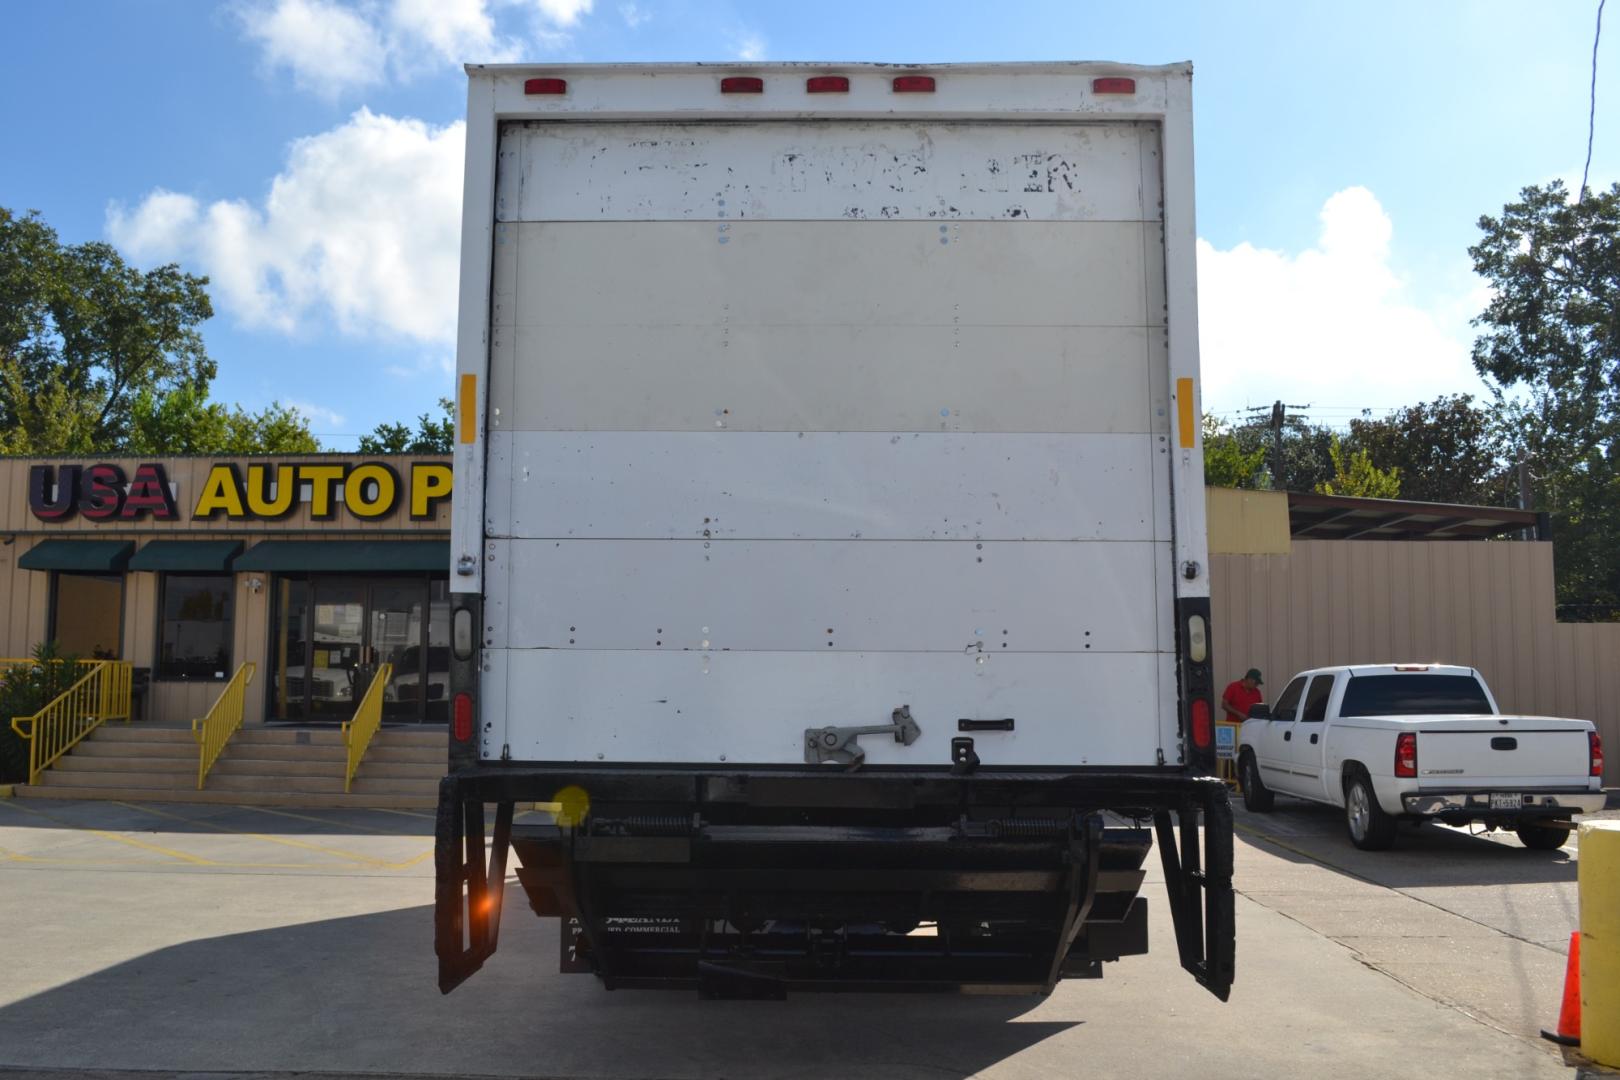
(328,48)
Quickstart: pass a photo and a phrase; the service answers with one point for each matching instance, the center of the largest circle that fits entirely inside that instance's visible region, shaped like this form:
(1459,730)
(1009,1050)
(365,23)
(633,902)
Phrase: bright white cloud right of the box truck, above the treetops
(1332,326)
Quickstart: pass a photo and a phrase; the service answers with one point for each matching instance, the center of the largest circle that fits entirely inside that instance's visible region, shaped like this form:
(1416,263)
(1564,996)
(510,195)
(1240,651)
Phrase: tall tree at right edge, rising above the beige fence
(1551,351)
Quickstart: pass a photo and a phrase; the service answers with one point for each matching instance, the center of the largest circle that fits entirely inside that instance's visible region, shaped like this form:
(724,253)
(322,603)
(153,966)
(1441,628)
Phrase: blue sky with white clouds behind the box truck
(307,156)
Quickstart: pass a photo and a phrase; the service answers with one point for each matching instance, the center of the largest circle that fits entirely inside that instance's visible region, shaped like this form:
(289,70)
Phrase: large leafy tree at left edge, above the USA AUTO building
(83,336)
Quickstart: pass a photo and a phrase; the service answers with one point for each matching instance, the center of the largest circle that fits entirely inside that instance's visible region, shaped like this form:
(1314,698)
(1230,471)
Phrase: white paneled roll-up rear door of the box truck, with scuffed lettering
(795,423)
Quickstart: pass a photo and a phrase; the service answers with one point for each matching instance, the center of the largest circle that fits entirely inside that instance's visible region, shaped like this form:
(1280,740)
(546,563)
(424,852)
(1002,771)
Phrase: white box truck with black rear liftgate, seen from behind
(829,530)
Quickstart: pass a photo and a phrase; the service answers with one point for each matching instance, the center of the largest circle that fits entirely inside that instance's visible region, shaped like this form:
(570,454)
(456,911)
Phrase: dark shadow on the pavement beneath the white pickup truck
(1423,856)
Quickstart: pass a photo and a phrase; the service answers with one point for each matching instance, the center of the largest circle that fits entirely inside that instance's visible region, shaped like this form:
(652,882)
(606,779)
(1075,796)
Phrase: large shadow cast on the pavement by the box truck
(359,995)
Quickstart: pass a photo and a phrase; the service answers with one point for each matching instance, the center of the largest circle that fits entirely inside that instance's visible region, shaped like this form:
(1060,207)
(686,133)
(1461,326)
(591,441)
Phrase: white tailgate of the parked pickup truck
(1503,752)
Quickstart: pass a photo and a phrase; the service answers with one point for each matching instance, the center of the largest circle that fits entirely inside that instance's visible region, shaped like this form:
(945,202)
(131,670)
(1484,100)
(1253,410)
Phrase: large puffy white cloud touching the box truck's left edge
(360,227)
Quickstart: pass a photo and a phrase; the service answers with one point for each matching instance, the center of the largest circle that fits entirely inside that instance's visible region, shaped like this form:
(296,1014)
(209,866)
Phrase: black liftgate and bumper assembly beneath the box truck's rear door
(749,883)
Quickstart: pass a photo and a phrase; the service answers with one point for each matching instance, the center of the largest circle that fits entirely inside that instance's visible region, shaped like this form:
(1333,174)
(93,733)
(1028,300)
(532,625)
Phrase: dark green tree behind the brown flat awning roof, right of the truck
(1444,451)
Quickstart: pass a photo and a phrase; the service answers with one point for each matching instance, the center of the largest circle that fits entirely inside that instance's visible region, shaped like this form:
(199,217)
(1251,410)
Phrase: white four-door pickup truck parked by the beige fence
(1415,742)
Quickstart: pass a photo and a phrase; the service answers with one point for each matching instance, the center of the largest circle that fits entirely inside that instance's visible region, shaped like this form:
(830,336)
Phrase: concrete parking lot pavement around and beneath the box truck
(226,940)
